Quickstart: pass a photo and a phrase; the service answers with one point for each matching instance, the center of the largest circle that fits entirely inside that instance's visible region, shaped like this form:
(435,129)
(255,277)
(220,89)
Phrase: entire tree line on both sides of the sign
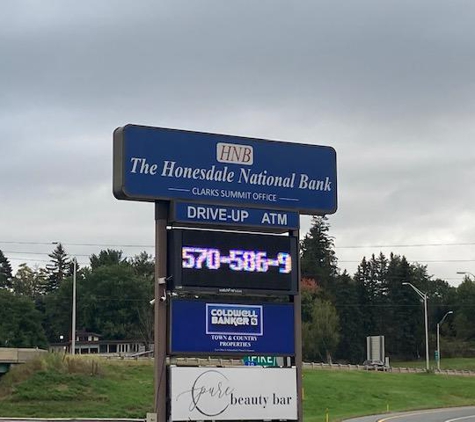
(339,310)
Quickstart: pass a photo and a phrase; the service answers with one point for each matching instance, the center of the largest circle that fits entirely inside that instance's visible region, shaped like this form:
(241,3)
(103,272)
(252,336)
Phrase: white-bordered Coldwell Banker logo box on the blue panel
(233,319)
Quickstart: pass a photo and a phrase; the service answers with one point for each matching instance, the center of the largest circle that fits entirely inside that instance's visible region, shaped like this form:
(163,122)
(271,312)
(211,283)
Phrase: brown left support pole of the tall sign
(160,305)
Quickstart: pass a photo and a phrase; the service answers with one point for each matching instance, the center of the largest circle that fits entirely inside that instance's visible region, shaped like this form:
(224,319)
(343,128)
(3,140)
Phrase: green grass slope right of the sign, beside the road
(354,393)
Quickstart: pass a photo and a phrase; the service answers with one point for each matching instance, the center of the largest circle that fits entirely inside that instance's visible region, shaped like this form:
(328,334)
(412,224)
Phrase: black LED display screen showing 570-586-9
(232,262)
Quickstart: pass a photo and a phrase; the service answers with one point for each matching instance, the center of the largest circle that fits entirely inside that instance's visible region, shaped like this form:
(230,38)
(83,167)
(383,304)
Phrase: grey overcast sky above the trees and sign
(390,84)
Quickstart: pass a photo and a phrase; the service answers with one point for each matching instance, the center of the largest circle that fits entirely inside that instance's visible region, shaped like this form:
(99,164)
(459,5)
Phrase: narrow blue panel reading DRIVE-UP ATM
(234,216)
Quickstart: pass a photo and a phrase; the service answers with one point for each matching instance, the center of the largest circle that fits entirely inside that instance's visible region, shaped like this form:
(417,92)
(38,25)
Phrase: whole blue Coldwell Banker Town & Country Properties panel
(217,328)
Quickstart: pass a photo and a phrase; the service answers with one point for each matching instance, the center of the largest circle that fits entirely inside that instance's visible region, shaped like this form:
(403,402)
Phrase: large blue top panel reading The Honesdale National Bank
(164,164)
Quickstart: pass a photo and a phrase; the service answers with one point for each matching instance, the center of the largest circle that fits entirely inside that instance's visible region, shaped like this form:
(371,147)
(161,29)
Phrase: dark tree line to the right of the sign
(339,311)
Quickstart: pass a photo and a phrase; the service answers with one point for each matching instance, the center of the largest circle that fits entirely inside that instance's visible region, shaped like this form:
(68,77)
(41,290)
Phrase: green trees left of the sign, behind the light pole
(113,299)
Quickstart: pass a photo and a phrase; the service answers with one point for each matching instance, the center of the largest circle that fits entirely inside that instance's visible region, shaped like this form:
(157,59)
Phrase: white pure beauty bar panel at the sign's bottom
(233,393)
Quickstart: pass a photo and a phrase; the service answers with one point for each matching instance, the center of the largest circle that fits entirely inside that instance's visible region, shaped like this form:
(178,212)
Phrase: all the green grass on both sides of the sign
(63,387)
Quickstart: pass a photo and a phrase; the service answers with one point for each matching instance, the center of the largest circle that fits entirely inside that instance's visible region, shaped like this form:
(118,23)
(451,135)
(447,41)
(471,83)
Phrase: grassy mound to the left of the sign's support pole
(95,389)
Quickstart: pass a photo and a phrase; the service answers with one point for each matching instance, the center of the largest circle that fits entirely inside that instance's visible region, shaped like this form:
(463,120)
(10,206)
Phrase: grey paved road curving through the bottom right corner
(456,414)
